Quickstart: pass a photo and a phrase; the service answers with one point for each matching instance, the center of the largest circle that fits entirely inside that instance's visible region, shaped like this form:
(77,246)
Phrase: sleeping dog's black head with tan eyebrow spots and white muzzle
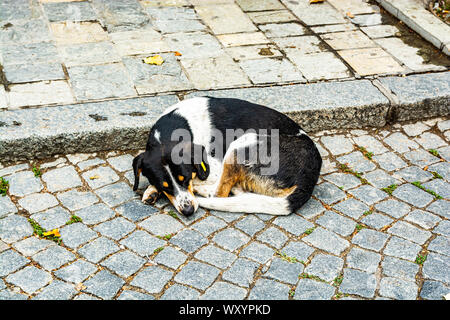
(171,168)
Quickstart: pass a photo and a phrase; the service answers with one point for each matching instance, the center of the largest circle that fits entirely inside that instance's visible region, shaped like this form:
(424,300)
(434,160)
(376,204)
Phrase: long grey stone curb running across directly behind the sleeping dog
(124,124)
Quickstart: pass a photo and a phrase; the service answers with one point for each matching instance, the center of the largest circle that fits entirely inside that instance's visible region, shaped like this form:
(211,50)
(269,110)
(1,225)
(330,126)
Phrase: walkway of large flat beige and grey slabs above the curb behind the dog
(60,52)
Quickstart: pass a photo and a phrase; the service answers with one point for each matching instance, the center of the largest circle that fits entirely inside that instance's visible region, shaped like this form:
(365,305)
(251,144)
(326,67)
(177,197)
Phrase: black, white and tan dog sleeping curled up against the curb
(214,147)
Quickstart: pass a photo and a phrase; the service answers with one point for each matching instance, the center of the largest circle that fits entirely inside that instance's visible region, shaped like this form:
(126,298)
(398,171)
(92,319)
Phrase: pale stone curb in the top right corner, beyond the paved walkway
(421,21)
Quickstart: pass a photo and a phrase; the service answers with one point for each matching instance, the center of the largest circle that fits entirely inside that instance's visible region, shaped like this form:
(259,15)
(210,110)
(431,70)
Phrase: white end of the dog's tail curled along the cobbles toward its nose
(248,203)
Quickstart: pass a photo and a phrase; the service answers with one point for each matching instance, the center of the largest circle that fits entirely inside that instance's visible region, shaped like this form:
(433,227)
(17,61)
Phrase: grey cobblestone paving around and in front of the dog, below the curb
(377,227)
